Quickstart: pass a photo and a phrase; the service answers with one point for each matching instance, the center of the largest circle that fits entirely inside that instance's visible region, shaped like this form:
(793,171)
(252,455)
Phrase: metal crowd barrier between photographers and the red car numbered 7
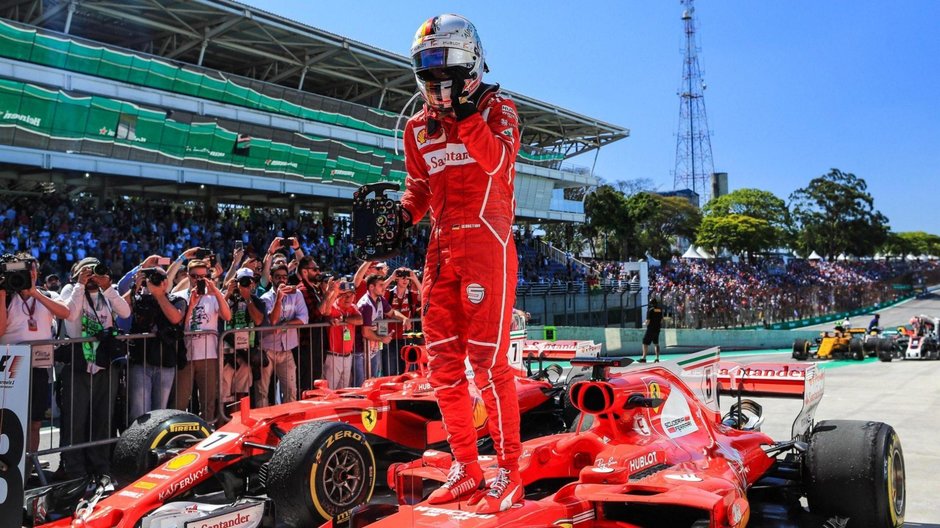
(86,404)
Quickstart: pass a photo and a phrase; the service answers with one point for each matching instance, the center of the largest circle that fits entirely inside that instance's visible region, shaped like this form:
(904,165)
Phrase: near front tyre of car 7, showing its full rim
(320,471)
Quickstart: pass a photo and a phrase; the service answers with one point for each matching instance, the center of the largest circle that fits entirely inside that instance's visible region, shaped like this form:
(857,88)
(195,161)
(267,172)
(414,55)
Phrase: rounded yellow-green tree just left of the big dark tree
(744,221)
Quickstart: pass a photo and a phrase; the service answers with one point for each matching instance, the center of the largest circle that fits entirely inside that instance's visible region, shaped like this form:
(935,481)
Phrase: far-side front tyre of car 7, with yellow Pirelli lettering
(158,429)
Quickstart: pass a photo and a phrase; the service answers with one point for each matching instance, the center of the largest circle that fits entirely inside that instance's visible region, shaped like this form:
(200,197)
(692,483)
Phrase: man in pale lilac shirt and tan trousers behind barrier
(285,306)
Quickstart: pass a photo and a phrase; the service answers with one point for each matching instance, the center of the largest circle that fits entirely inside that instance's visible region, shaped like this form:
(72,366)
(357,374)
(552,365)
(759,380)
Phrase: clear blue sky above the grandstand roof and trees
(794,88)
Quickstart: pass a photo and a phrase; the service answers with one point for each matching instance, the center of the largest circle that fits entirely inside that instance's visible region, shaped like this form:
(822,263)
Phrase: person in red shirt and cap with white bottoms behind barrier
(344,317)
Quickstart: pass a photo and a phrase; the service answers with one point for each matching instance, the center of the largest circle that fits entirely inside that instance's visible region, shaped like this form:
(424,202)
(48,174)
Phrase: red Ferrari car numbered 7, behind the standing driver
(310,460)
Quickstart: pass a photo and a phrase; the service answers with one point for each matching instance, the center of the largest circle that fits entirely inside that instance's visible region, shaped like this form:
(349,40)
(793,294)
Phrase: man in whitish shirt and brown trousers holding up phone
(205,306)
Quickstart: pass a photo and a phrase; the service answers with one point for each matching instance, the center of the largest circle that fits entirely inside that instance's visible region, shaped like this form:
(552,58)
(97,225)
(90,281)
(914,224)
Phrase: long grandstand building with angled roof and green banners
(215,101)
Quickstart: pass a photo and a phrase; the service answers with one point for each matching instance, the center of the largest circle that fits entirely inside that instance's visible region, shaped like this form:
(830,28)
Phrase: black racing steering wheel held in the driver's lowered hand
(377,224)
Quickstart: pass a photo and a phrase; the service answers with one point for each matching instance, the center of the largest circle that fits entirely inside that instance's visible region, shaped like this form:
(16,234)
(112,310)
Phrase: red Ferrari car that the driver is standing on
(659,453)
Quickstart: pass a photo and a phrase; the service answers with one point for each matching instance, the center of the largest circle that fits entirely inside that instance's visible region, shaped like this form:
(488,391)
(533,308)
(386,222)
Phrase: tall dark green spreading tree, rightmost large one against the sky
(835,214)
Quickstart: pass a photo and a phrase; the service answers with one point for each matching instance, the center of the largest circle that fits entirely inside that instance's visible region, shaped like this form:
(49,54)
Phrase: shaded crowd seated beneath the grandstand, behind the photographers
(59,231)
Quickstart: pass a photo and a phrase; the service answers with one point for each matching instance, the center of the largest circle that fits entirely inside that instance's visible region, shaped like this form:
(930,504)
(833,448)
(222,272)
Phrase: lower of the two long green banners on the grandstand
(38,117)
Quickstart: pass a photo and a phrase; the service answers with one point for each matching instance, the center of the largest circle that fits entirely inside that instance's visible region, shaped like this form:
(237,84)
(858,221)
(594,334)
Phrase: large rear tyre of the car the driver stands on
(855,469)
